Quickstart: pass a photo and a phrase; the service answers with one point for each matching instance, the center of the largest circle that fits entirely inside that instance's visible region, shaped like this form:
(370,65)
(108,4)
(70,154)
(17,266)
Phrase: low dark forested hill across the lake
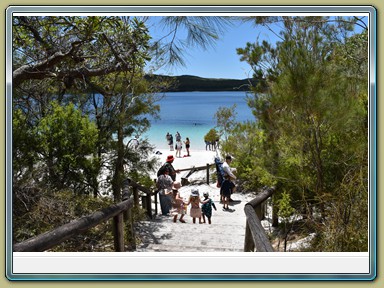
(194,83)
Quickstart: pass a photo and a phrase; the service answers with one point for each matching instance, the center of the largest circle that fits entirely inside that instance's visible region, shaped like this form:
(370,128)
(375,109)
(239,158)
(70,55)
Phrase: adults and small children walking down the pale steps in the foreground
(171,203)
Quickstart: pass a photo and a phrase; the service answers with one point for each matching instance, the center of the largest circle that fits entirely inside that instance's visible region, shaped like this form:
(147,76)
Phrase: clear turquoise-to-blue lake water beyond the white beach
(192,114)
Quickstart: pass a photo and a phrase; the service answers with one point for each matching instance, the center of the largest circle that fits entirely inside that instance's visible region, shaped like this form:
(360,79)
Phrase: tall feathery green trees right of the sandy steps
(309,101)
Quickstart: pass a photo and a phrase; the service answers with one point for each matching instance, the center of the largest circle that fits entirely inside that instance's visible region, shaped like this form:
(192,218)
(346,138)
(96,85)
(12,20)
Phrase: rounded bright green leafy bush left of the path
(66,143)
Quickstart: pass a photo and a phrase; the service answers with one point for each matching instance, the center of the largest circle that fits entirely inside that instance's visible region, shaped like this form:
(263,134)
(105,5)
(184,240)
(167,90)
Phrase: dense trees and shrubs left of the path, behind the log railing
(78,92)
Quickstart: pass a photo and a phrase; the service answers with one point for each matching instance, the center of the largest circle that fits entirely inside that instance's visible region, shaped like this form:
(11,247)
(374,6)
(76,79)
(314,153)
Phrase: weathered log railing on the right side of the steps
(255,236)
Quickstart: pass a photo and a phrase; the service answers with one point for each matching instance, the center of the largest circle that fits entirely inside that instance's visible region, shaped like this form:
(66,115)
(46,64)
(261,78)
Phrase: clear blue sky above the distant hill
(221,61)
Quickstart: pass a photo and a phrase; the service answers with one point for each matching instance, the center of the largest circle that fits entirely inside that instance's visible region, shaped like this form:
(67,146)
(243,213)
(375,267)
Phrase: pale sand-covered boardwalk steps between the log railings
(226,233)
